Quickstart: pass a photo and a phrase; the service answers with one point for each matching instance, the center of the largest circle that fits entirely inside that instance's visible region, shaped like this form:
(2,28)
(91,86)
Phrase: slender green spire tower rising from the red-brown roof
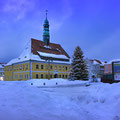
(46,35)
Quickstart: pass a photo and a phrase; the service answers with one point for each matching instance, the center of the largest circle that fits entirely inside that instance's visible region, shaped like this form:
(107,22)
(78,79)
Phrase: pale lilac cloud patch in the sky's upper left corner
(18,7)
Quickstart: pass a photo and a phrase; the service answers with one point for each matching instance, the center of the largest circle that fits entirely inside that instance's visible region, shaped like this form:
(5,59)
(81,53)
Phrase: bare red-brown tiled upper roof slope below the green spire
(38,45)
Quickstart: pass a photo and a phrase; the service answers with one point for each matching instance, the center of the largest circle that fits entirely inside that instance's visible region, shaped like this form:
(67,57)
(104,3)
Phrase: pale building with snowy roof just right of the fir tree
(95,67)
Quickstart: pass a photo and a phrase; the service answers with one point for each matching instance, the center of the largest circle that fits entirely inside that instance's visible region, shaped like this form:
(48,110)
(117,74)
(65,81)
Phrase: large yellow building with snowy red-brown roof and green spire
(39,60)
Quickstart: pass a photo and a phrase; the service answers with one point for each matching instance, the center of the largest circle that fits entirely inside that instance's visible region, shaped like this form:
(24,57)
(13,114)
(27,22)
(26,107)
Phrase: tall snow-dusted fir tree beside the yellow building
(78,66)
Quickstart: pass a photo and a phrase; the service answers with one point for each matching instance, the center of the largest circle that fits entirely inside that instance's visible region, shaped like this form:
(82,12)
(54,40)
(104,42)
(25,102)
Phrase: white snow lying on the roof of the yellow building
(27,54)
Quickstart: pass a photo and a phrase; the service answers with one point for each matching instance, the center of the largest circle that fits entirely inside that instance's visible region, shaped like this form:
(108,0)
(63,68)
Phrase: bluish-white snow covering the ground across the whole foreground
(19,100)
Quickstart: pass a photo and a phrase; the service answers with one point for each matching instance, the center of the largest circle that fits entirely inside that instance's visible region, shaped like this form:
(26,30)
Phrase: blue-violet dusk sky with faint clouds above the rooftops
(94,25)
